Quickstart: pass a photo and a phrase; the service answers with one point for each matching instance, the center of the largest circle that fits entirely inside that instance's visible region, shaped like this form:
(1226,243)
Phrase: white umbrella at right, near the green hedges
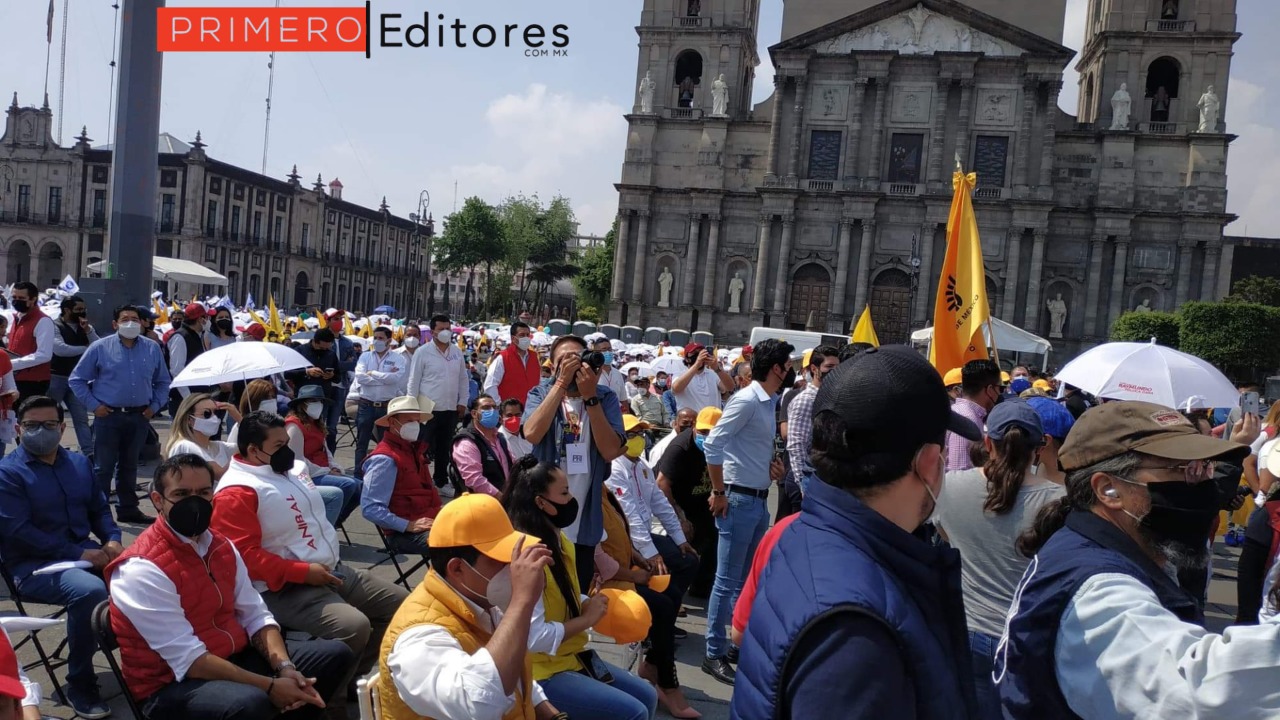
(1153,373)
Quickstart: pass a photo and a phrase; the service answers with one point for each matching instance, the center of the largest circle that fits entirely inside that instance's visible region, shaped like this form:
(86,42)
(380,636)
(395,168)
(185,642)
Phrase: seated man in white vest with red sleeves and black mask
(269,508)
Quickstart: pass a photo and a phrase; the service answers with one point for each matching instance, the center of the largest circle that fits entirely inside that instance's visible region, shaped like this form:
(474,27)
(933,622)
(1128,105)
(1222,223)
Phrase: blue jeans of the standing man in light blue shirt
(740,532)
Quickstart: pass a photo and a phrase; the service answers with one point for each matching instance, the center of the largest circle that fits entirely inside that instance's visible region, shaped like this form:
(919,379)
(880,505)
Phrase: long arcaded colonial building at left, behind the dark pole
(304,247)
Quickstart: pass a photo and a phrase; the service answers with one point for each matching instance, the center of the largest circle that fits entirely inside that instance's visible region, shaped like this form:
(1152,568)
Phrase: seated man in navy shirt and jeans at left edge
(51,503)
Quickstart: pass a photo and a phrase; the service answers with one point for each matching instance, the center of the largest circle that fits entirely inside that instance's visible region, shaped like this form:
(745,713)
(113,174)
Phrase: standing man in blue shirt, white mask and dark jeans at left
(124,377)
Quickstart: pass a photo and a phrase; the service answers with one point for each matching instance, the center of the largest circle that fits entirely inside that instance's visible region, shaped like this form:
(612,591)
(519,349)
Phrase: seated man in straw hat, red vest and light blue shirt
(400,498)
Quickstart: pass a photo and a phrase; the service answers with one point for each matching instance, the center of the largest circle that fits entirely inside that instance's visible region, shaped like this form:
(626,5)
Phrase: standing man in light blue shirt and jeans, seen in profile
(742,467)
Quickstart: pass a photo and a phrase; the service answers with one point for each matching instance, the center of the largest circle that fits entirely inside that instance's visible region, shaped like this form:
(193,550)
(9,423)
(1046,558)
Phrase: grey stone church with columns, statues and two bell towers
(834,193)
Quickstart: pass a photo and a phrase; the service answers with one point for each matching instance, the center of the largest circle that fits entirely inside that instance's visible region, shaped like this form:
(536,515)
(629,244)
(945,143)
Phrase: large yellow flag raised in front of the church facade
(961,311)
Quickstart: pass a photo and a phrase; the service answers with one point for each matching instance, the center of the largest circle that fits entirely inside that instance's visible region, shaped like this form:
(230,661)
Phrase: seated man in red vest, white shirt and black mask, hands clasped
(186,614)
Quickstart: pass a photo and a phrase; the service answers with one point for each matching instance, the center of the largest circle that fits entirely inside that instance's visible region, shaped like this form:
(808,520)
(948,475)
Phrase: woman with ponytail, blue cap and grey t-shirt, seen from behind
(982,514)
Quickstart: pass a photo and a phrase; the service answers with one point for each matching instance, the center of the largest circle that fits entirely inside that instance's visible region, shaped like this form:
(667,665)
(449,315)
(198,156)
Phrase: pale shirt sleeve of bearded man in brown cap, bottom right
(1122,655)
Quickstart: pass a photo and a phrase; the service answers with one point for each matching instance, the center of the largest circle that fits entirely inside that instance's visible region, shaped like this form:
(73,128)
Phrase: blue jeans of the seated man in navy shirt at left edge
(80,593)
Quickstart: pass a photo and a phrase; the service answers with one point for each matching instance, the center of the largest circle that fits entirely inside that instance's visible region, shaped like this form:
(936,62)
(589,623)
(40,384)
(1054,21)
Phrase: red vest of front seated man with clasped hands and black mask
(207,589)
